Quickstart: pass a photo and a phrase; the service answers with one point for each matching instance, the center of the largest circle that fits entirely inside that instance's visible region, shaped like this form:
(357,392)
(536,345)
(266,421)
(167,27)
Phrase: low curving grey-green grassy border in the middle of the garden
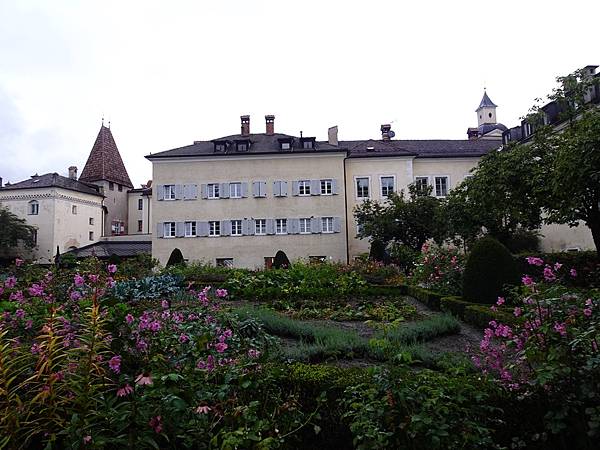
(402,344)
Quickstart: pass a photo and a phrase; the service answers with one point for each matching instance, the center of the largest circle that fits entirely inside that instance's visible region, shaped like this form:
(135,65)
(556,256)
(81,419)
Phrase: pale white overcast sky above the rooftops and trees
(168,73)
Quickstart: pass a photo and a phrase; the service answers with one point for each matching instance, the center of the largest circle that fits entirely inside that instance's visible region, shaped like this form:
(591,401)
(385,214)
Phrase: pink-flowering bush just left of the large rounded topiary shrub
(439,269)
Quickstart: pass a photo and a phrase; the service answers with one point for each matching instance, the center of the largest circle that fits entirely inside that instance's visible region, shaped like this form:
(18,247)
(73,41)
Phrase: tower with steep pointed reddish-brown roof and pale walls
(105,168)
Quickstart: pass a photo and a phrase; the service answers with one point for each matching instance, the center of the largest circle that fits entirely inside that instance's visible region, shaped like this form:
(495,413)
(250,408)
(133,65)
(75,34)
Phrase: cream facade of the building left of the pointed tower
(65,219)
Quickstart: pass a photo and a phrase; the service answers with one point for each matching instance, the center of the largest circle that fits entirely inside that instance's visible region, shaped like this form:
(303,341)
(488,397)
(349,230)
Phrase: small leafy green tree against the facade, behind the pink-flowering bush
(409,220)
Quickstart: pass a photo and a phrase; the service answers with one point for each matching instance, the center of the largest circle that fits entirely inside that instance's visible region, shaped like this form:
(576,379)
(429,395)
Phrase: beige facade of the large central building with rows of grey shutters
(250,249)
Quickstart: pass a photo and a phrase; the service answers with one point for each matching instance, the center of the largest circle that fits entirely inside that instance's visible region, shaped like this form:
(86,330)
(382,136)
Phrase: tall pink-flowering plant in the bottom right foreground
(550,350)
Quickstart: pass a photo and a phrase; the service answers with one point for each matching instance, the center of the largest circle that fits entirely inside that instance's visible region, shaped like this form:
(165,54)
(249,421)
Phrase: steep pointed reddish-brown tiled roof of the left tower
(104,162)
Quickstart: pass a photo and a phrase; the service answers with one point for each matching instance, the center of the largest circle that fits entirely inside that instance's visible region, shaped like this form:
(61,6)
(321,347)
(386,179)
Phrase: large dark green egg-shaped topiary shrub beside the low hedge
(490,267)
